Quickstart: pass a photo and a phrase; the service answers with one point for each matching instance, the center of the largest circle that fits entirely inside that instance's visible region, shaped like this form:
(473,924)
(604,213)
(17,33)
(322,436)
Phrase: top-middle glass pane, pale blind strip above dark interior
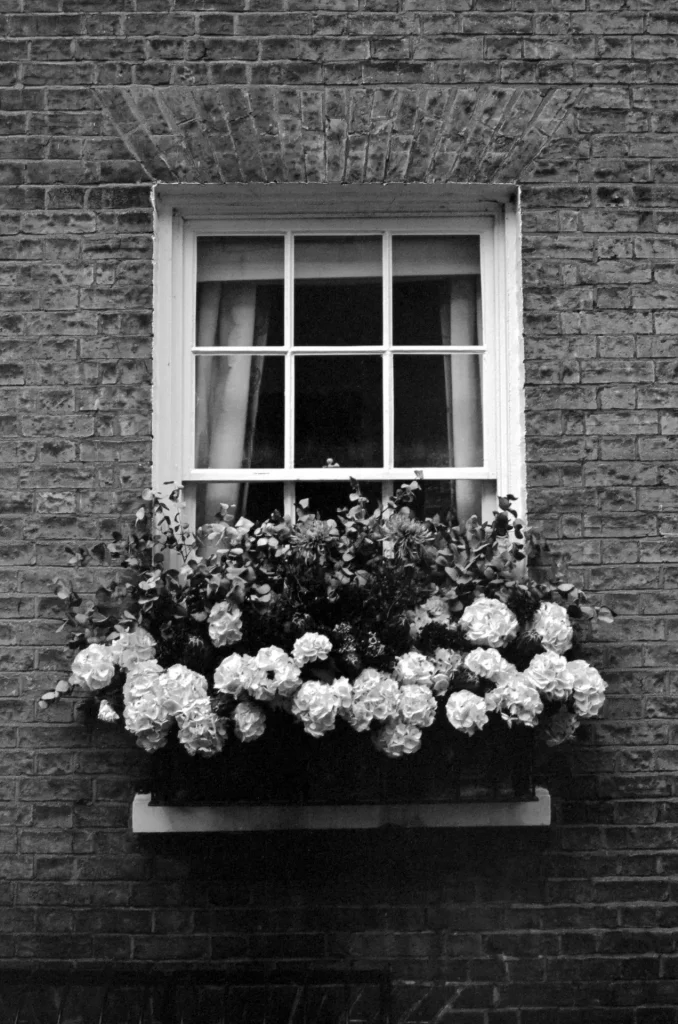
(338,292)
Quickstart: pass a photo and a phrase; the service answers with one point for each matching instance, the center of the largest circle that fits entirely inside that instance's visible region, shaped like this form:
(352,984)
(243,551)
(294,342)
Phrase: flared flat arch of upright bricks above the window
(344,136)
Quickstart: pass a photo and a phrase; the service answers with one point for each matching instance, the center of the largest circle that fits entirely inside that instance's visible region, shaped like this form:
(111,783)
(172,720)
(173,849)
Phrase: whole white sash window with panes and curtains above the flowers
(307,335)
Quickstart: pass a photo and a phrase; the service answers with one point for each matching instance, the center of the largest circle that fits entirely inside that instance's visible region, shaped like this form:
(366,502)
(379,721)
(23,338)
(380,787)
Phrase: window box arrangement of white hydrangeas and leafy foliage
(380,620)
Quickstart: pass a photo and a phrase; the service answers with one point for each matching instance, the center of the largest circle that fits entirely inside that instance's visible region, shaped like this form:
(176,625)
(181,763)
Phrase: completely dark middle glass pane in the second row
(338,411)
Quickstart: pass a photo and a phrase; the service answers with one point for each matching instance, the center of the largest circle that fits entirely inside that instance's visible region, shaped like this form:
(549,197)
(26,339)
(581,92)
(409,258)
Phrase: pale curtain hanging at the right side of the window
(460,326)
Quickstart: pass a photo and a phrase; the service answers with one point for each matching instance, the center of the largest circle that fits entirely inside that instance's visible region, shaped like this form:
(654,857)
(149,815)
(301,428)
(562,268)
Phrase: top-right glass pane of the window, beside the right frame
(437,291)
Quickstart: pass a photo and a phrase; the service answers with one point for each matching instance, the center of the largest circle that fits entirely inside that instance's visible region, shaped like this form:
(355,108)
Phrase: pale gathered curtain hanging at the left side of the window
(228,389)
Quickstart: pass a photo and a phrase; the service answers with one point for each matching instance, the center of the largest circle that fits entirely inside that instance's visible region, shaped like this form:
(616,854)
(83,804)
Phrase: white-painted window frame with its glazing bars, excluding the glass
(184,214)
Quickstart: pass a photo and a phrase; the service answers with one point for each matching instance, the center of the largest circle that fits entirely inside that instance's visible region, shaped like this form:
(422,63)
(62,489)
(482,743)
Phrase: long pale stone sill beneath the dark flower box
(260,818)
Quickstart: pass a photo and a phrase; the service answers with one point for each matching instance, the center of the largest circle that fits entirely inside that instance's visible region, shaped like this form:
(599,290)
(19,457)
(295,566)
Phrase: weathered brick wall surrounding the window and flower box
(574,100)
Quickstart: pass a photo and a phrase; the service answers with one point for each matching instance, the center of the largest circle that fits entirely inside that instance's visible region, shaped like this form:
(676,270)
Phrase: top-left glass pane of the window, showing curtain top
(240,292)
